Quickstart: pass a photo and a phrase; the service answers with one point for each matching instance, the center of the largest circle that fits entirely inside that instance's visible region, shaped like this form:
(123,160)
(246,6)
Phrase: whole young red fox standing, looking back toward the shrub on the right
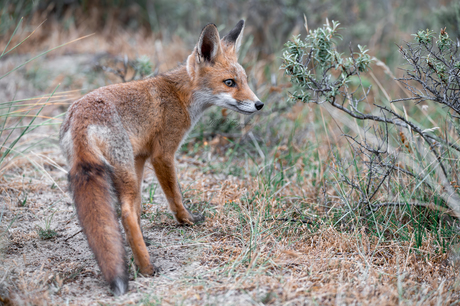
(109,134)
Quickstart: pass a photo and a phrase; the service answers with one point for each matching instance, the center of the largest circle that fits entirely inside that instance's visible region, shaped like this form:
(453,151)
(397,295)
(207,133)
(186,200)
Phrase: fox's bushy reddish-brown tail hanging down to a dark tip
(91,185)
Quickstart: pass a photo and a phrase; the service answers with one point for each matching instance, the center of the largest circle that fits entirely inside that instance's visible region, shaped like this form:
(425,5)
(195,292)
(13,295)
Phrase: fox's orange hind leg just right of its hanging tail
(127,185)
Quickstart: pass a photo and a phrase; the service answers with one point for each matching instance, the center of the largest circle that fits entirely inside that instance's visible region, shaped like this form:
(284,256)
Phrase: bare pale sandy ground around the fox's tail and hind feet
(65,262)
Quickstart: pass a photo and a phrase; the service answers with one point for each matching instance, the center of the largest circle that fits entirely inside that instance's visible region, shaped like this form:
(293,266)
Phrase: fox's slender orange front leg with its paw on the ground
(166,174)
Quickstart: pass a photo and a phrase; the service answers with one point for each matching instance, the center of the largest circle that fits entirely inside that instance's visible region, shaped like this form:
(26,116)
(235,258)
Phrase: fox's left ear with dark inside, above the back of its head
(208,46)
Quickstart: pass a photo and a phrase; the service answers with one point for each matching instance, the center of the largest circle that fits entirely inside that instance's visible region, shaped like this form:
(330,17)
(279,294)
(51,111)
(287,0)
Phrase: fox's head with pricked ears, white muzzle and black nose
(217,77)
